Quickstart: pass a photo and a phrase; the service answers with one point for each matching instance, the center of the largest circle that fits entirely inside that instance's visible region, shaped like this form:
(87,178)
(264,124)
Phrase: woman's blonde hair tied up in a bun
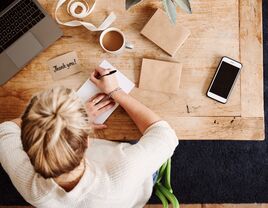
(55,129)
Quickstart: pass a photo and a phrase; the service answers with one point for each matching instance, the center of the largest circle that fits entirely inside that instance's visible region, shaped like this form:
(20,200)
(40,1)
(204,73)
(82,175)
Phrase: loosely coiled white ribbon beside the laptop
(73,5)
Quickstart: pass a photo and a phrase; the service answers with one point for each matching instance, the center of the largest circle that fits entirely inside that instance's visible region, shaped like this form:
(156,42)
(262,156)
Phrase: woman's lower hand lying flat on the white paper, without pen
(94,108)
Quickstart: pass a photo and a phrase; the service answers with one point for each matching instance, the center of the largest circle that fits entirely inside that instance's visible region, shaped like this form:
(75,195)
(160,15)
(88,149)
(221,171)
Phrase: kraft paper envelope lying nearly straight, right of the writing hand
(160,76)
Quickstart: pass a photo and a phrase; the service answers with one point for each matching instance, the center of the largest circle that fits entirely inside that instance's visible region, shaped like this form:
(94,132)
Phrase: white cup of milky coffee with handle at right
(115,43)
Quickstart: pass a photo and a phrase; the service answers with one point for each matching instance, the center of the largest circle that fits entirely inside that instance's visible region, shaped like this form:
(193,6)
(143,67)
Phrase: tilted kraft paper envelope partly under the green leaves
(163,33)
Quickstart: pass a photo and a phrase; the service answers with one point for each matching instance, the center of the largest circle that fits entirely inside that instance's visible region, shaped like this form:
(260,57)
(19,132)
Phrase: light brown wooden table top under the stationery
(218,29)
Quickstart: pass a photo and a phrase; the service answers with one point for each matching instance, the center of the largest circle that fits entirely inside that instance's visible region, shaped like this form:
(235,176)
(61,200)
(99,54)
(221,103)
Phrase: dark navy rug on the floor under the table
(207,171)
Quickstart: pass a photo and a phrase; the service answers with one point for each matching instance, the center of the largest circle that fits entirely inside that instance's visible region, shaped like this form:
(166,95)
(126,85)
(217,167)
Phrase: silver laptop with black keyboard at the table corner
(25,30)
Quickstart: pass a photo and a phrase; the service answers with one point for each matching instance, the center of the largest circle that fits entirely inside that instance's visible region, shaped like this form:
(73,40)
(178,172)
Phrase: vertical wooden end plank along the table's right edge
(251,54)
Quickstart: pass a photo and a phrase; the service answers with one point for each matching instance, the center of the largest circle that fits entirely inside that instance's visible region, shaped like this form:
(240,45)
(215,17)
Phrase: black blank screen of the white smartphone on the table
(224,80)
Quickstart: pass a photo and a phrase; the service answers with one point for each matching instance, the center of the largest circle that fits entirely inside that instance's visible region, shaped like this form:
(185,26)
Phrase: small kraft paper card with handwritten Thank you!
(64,65)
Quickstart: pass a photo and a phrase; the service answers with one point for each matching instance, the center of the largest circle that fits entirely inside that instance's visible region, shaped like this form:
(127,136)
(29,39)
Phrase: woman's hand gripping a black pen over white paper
(106,84)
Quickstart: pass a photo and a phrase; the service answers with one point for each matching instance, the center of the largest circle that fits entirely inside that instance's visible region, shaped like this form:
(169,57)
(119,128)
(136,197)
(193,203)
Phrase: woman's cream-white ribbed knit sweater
(118,175)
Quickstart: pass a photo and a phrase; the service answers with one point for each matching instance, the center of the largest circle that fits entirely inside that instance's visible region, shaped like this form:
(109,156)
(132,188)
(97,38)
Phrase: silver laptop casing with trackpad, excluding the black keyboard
(30,44)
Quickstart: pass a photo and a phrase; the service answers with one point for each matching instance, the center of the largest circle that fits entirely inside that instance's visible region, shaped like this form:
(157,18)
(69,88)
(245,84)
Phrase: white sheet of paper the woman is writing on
(89,89)
